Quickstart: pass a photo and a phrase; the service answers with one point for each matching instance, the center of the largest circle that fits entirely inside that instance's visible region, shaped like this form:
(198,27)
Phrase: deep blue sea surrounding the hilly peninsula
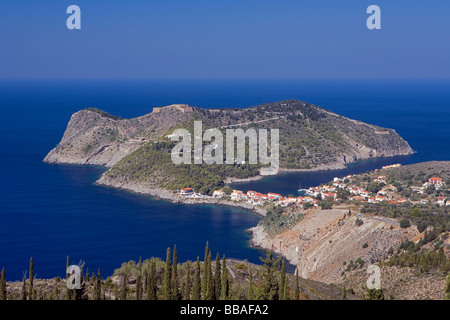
(49,212)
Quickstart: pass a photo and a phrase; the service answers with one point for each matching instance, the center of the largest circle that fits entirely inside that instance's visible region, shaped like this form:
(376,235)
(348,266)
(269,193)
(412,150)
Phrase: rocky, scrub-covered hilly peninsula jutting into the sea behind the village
(138,149)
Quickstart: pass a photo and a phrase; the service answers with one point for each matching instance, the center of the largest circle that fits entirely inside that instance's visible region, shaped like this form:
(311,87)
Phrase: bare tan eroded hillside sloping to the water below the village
(323,240)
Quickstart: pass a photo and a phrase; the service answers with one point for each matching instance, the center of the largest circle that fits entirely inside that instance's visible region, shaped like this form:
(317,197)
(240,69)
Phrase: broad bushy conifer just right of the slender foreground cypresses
(270,270)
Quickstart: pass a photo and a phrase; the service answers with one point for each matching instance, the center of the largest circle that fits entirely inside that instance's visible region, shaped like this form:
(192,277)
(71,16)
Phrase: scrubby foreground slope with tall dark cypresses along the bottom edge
(156,279)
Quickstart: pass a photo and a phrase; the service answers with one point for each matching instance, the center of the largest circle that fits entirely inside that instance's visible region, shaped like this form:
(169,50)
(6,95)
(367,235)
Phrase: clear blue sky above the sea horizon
(225,39)
